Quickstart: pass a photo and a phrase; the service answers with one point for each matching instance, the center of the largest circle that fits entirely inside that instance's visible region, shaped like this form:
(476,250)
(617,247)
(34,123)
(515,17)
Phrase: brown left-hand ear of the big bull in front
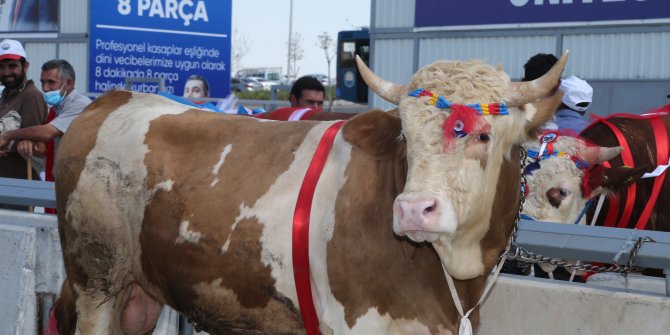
(376,133)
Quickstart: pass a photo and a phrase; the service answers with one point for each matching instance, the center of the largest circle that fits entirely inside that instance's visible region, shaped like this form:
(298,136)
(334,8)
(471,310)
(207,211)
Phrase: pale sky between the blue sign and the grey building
(264,24)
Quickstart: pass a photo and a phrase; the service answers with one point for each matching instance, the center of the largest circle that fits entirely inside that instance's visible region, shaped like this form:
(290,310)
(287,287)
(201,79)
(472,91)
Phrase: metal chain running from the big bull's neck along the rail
(513,251)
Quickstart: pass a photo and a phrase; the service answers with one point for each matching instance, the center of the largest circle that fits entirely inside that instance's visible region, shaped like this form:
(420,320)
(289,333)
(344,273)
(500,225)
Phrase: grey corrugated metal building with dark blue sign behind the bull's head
(621,47)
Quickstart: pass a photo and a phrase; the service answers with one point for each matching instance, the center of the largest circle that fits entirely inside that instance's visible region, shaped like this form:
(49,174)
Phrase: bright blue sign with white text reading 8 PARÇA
(169,39)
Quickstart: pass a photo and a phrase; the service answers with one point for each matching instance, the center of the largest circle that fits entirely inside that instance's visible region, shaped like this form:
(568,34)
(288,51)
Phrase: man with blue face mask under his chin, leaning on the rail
(67,103)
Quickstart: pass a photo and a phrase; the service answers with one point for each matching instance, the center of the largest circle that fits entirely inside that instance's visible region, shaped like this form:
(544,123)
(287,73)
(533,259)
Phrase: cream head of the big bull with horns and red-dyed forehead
(455,153)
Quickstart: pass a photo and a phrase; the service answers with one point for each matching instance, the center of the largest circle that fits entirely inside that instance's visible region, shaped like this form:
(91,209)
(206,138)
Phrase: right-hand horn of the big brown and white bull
(521,93)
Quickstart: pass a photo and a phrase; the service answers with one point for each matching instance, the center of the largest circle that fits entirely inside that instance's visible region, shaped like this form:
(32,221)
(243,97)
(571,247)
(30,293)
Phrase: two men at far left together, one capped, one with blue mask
(33,121)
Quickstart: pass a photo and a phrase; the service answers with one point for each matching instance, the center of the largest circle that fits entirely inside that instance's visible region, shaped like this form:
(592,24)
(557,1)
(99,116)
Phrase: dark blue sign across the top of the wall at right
(437,13)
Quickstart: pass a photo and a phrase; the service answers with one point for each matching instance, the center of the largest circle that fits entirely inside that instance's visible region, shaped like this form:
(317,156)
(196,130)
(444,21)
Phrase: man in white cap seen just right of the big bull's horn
(577,97)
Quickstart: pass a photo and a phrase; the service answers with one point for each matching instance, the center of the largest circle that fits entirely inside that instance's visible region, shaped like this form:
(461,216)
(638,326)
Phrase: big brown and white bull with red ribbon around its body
(161,204)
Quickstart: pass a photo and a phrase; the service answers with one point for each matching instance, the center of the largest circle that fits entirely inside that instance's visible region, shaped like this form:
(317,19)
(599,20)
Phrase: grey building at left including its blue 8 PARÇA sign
(142,44)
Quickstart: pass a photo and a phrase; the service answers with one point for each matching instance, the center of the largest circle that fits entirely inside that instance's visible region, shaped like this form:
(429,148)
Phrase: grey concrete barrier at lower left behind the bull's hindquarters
(31,271)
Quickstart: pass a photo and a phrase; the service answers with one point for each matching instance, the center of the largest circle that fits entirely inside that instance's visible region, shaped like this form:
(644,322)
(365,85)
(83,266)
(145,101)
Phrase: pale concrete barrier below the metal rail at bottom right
(522,305)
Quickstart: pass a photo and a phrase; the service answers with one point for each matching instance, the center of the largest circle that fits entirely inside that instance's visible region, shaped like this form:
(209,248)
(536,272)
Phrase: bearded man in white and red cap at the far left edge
(20,95)
